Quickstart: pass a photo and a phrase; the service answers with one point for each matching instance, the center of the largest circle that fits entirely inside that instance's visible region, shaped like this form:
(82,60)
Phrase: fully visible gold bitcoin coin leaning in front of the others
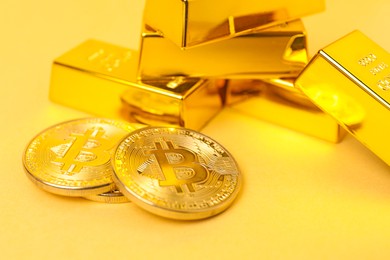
(176,172)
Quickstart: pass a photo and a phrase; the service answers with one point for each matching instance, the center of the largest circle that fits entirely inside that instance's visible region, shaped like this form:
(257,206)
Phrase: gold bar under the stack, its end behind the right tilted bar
(278,102)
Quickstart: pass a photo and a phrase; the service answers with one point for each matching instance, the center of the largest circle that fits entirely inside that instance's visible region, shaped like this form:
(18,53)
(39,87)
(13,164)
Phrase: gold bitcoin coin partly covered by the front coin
(74,158)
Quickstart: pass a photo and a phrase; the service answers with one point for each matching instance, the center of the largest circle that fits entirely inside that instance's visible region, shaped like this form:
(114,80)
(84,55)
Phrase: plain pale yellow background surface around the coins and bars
(302,198)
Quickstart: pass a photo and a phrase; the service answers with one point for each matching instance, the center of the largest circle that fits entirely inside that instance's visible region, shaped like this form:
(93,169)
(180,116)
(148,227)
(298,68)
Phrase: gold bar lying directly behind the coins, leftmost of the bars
(100,78)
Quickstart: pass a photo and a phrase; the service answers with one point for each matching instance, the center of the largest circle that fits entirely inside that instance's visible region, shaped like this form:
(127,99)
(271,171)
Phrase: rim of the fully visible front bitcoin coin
(174,213)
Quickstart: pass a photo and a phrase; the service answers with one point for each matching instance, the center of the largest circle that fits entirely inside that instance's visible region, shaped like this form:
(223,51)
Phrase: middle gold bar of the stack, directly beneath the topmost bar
(279,51)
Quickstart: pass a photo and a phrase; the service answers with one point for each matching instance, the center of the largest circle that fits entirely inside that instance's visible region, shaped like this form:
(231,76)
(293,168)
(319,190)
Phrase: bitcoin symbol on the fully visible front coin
(179,166)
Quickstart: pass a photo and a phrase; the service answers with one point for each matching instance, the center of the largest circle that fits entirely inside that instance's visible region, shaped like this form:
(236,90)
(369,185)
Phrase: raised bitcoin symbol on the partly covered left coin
(88,149)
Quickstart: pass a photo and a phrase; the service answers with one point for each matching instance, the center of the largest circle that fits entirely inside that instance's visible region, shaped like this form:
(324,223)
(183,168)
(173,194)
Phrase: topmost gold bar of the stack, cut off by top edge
(191,23)
